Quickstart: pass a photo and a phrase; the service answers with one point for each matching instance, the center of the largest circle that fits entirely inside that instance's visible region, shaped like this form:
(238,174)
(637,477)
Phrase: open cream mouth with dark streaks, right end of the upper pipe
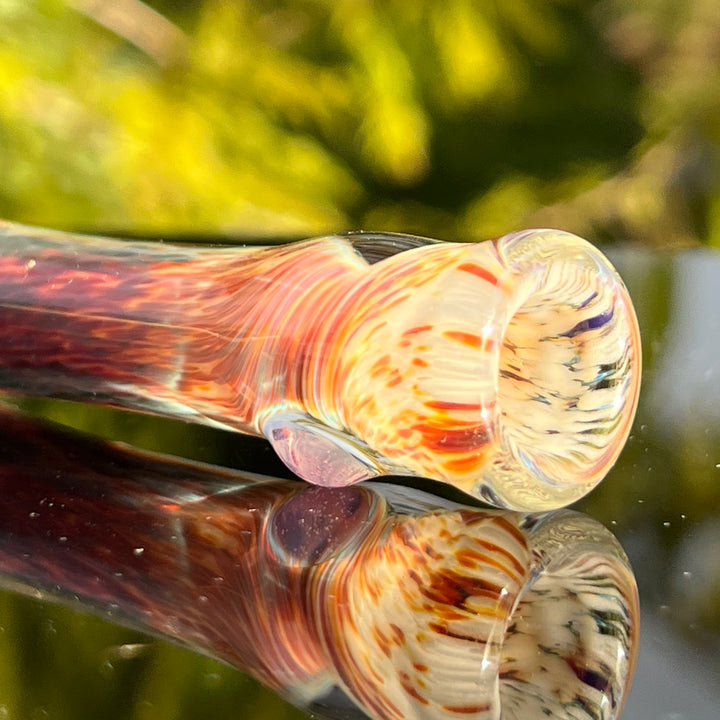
(568,374)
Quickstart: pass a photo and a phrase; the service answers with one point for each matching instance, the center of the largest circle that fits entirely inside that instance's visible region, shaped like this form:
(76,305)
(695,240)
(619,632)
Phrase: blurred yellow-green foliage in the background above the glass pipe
(456,119)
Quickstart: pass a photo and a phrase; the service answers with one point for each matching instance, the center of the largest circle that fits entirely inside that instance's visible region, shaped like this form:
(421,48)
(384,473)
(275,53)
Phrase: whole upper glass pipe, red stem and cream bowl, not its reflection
(508,368)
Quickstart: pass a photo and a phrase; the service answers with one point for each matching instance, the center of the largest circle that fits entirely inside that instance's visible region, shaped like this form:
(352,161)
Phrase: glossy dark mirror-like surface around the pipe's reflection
(662,501)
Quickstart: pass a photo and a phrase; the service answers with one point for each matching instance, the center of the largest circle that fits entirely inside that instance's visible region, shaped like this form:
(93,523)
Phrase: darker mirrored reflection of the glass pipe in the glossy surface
(374,599)
